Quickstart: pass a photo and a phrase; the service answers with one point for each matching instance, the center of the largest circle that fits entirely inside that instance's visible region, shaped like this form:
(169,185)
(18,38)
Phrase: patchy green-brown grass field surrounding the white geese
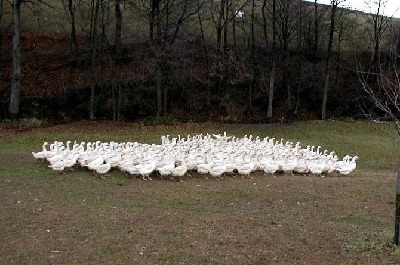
(77,218)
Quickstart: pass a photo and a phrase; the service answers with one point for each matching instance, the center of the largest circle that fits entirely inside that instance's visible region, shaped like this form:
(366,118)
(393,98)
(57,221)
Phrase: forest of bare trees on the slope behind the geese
(196,60)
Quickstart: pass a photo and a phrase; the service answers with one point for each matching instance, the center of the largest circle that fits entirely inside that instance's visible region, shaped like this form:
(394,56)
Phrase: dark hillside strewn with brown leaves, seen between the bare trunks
(197,83)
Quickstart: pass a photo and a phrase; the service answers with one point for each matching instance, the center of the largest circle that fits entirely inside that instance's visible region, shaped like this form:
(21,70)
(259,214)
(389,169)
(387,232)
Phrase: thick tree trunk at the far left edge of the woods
(16,74)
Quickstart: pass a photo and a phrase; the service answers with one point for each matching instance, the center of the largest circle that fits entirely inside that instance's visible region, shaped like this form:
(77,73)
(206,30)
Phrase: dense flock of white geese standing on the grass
(215,154)
